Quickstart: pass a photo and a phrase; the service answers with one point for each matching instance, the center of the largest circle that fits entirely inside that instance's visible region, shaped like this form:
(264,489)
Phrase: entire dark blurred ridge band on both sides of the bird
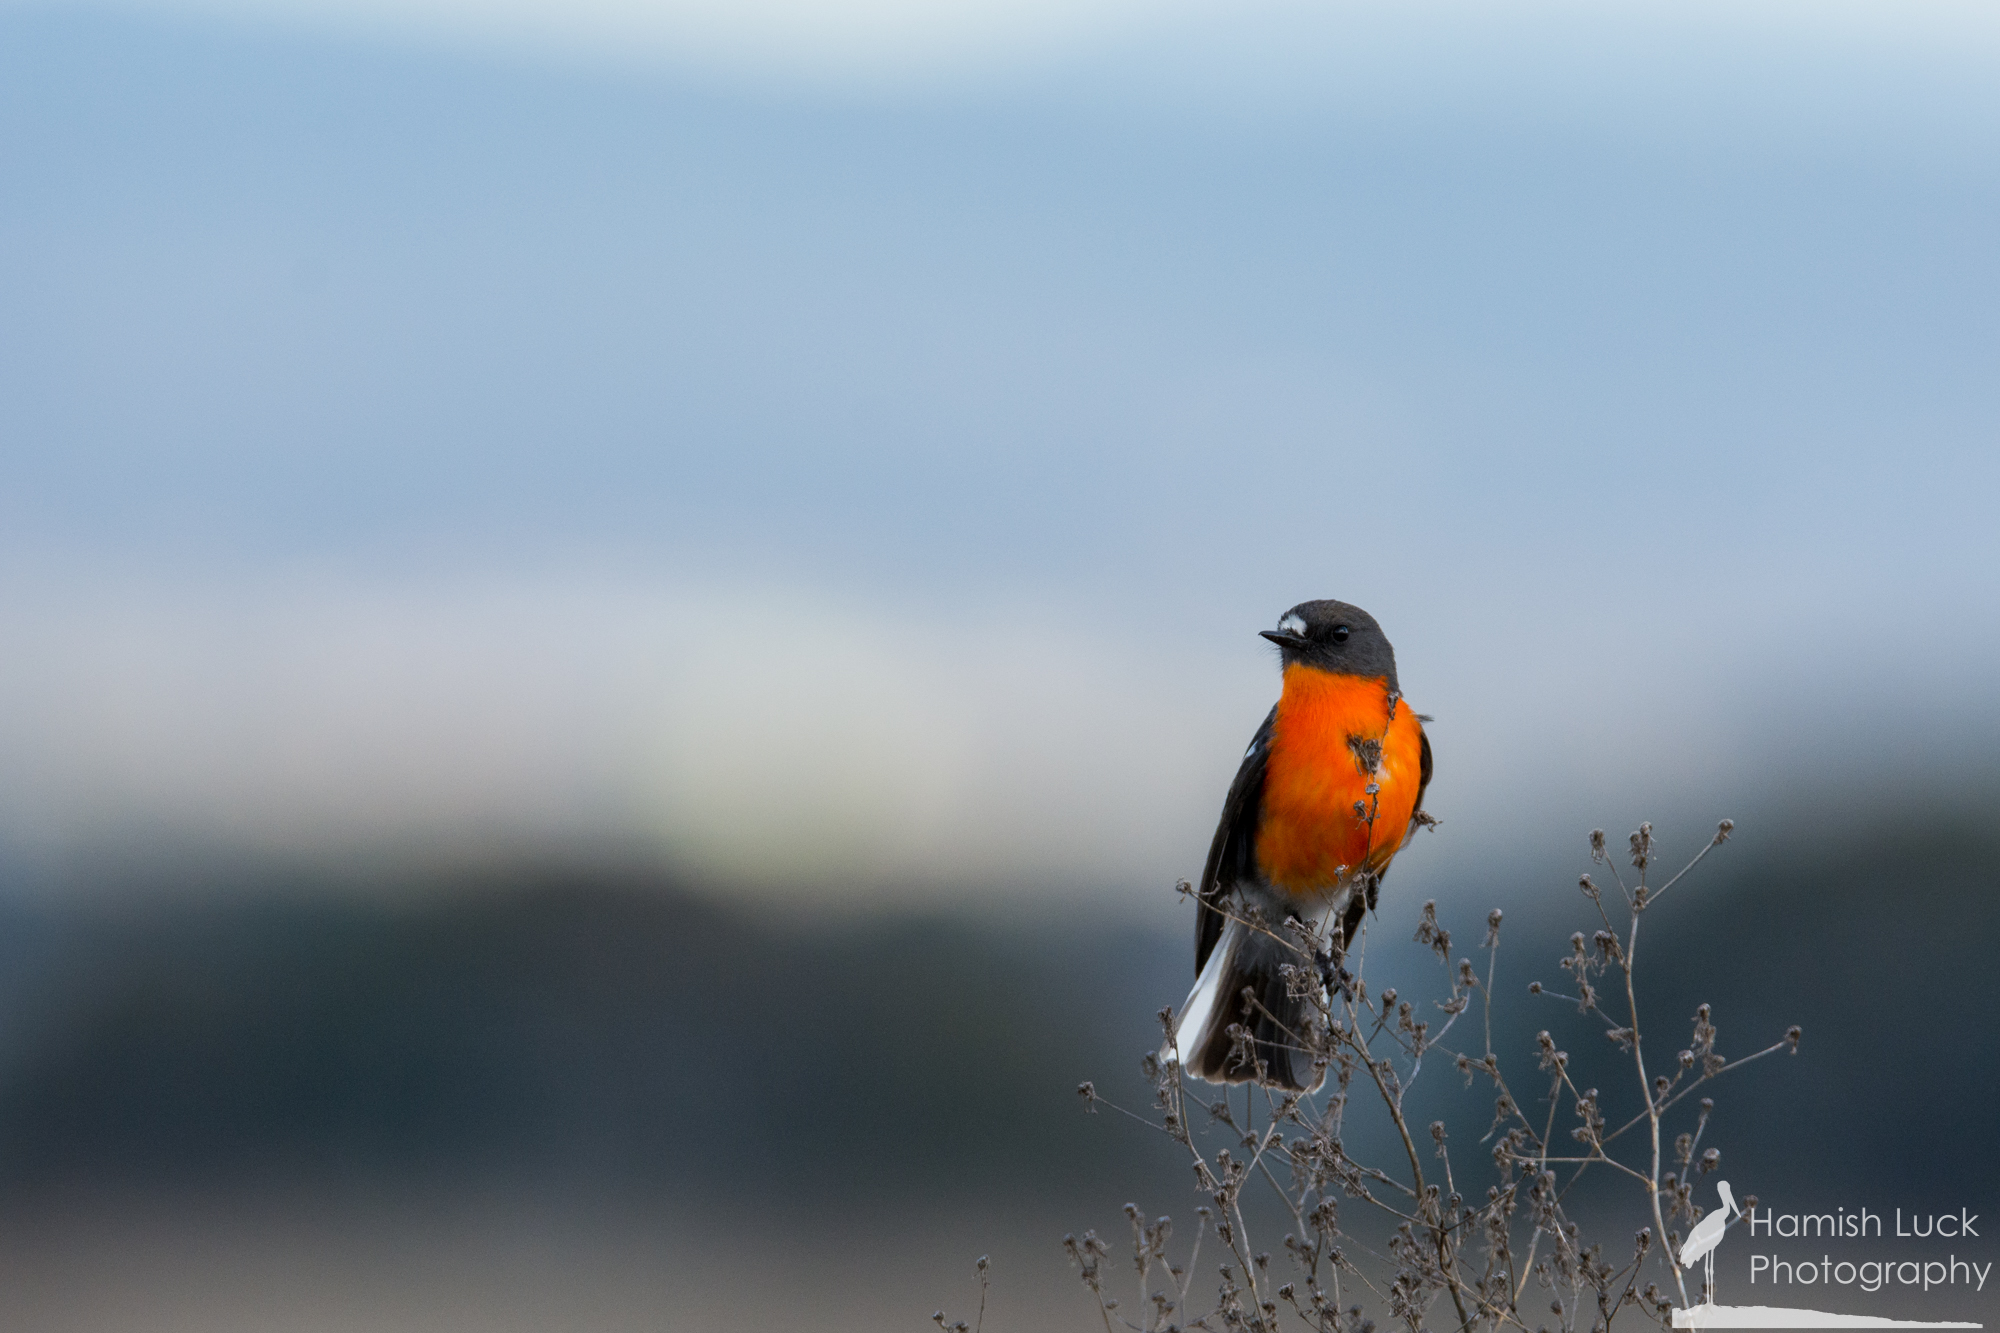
(609,1032)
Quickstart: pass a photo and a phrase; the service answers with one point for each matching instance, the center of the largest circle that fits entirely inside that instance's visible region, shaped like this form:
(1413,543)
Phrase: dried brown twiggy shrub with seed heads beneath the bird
(1405,1242)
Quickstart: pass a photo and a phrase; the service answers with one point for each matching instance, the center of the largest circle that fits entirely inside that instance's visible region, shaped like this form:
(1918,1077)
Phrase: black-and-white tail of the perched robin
(1271,1046)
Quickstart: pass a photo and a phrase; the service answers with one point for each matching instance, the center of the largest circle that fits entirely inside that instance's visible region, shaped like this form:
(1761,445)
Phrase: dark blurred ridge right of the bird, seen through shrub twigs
(1873,932)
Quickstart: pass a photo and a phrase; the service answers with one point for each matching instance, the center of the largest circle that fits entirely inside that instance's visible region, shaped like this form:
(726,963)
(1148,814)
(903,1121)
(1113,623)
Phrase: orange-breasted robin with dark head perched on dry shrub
(1329,792)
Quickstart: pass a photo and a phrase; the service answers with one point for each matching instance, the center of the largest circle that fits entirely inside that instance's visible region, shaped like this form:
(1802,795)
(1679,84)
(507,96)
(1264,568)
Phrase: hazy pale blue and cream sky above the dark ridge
(853,449)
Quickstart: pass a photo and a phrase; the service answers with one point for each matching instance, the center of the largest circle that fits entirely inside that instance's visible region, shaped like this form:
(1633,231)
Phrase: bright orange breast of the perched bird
(1331,742)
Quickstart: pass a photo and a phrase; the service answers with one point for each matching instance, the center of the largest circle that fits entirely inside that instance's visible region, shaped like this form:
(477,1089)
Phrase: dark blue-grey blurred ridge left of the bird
(565,1030)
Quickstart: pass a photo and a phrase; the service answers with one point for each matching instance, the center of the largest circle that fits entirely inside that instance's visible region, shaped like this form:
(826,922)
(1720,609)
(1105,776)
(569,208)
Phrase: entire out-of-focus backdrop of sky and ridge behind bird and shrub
(621,615)
